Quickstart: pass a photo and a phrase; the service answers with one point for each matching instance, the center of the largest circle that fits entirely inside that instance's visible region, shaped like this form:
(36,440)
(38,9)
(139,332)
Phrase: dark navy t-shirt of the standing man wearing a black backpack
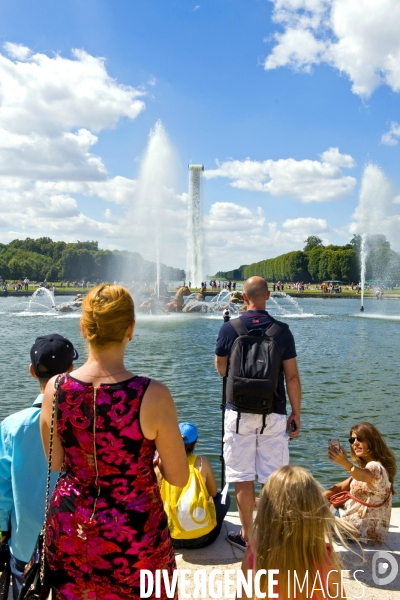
(260,319)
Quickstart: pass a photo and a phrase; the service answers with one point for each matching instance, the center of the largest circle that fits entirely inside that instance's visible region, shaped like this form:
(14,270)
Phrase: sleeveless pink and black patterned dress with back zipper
(106,519)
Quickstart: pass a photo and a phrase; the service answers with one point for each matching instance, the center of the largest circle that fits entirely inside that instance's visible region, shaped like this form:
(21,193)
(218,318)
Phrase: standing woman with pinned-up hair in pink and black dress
(106,520)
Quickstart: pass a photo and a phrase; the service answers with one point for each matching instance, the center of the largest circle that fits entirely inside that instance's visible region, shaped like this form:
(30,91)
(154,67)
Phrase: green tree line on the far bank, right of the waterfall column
(316,263)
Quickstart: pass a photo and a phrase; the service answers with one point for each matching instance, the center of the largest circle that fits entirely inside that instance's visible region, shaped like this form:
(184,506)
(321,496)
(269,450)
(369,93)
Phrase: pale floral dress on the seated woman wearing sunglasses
(372,524)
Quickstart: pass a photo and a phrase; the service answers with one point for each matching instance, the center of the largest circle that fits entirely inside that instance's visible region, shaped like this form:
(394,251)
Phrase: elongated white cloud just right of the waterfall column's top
(307,180)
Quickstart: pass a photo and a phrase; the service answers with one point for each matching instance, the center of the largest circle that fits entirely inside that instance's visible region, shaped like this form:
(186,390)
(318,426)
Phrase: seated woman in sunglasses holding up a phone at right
(370,483)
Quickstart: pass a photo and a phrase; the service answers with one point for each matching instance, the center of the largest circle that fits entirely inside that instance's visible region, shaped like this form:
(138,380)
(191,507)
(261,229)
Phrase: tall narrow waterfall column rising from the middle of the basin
(195,243)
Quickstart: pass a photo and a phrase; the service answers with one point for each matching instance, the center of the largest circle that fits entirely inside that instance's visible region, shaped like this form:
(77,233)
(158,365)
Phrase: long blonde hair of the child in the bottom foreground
(292,529)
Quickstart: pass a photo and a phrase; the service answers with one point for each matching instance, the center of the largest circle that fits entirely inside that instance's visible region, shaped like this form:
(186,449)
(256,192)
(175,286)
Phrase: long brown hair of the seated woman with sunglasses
(377,446)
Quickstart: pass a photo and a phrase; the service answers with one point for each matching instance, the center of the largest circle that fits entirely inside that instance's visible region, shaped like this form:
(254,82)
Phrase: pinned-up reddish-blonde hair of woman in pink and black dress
(107,311)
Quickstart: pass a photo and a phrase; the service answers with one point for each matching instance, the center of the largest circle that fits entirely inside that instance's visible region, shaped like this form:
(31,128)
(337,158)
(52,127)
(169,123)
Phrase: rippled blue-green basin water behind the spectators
(349,364)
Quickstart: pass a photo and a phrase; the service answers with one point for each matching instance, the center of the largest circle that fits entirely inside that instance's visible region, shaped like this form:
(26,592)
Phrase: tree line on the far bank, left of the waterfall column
(60,261)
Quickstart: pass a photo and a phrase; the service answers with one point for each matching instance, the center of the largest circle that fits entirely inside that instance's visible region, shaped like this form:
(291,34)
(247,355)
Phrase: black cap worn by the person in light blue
(54,352)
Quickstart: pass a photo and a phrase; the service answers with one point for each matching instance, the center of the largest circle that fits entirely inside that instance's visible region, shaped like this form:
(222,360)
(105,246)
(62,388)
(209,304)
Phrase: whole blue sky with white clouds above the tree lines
(284,102)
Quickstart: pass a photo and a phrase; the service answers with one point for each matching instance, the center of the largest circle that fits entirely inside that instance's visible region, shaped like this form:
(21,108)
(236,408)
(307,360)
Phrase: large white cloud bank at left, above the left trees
(52,111)
